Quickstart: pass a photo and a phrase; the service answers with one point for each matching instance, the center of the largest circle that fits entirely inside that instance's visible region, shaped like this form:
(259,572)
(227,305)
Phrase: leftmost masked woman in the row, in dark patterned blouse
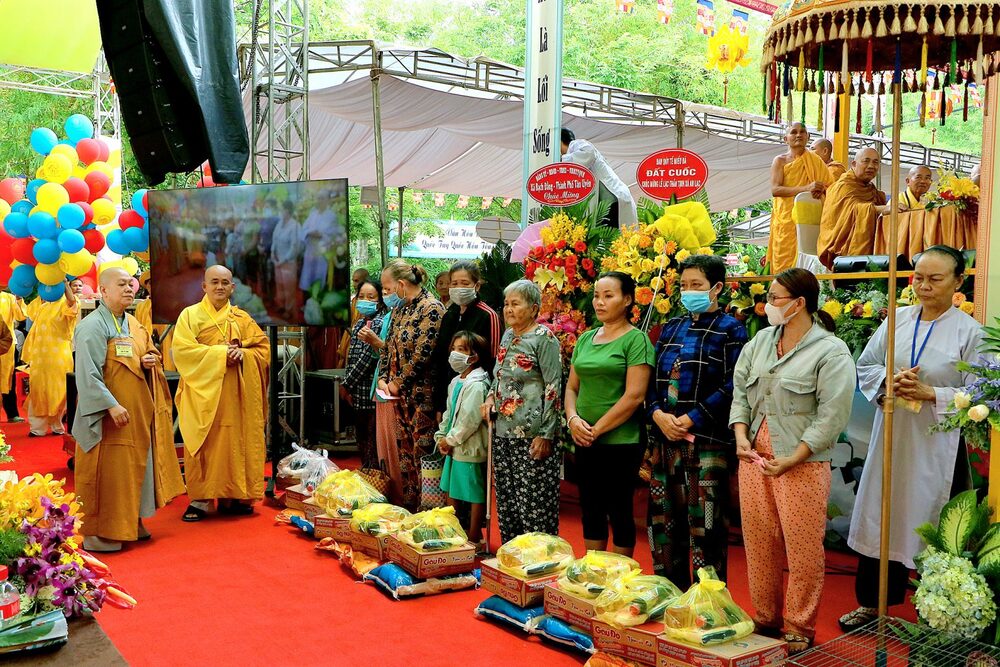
(362,360)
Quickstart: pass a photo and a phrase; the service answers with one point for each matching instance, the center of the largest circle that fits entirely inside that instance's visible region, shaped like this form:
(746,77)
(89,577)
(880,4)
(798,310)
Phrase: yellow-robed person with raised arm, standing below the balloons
(48,351)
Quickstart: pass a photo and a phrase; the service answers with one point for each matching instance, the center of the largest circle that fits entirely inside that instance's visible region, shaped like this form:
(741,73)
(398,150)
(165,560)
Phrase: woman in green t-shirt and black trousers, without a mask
(607,383)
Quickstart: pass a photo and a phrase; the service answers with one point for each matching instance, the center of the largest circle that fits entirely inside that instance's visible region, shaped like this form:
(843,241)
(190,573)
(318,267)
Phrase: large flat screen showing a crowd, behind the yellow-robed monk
(286,244)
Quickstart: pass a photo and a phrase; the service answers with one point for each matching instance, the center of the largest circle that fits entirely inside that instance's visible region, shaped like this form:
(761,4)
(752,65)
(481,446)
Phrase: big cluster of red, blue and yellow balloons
(53,224)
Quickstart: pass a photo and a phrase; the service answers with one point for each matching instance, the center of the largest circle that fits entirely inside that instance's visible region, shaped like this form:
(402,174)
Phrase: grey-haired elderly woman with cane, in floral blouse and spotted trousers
(525,391)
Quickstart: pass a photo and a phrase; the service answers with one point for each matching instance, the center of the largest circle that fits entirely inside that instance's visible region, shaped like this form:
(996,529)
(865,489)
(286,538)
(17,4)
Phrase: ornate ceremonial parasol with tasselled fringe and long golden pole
(840,46)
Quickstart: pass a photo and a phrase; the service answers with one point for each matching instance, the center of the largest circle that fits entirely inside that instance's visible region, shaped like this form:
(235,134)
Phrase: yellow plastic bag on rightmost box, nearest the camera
(706,614)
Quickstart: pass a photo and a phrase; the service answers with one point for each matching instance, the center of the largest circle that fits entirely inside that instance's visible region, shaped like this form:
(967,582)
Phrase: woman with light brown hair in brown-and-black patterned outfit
(406,371)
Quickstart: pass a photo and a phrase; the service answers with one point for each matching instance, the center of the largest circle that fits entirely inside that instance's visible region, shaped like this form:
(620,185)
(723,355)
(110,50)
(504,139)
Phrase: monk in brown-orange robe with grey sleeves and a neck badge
(125,467)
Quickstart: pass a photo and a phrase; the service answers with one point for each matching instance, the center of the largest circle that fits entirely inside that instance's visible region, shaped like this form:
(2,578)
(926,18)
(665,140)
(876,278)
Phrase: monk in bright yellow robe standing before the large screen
(222,356)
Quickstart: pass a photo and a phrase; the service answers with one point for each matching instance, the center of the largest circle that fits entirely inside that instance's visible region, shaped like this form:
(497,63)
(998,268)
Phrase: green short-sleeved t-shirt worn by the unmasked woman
(602,369)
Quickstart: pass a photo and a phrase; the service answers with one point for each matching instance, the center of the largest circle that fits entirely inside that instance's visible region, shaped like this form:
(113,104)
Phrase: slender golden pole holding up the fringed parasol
(890,361)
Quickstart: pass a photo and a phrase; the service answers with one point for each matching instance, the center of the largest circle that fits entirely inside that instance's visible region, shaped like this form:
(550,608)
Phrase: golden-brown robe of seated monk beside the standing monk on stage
(849,217)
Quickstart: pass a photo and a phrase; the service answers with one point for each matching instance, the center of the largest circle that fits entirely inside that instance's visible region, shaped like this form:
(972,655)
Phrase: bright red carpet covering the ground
(242,591)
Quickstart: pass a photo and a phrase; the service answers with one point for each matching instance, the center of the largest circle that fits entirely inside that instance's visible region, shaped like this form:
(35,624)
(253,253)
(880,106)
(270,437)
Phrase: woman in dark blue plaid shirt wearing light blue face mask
(690,450)
